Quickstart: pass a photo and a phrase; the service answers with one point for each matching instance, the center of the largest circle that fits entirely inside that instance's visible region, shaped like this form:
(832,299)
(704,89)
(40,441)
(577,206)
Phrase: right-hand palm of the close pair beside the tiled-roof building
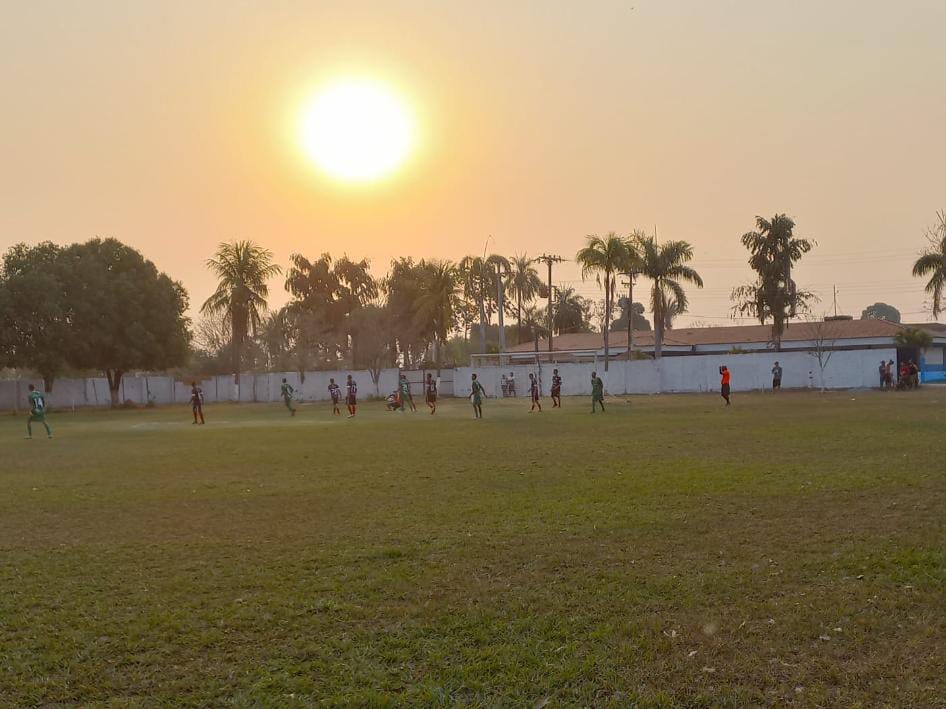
(665,265)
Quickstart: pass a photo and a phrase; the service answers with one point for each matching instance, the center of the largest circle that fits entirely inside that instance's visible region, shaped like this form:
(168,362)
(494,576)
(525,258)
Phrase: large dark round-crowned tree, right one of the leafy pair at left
(126,315)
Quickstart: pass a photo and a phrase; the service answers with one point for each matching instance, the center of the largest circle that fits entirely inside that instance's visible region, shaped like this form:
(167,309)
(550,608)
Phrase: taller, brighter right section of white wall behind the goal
(846,369)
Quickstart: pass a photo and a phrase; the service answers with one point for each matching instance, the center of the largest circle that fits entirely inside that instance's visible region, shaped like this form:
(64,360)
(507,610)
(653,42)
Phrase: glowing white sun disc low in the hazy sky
(357,131)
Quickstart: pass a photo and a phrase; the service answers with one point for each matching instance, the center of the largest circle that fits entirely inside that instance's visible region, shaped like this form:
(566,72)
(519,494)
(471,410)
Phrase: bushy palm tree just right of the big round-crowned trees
(242,269)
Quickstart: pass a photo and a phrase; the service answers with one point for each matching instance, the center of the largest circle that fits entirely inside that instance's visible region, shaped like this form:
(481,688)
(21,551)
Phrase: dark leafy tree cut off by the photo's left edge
(34,316)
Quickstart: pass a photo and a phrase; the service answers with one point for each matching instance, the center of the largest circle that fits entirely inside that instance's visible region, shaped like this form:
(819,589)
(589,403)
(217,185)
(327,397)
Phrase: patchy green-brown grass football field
(791,549)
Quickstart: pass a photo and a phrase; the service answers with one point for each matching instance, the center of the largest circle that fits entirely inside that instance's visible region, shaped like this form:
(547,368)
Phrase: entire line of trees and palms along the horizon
(102,306)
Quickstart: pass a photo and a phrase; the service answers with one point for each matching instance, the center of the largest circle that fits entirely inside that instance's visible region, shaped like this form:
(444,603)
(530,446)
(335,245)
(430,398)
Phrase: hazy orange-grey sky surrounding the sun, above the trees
(171,126)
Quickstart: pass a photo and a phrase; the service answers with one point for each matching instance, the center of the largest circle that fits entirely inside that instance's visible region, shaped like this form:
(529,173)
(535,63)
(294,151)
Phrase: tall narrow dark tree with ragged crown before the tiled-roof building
(773,295)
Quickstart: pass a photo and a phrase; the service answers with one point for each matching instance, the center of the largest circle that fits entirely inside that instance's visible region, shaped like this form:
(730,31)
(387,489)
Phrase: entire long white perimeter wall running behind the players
(853,369)
